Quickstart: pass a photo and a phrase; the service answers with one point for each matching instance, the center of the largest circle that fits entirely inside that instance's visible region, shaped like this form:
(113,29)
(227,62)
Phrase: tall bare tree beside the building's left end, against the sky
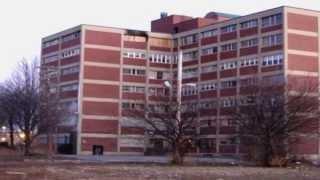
(31,103)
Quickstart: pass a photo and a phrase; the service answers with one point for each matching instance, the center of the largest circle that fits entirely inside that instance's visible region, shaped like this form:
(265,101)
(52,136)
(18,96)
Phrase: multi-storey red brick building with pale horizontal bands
(105,71)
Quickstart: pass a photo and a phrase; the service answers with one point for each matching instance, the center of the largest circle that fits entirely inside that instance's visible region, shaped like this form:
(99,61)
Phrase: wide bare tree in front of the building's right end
(270,116)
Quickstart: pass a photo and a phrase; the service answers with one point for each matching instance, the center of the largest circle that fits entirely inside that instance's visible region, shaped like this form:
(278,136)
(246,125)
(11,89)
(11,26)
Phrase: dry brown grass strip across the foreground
(73,171)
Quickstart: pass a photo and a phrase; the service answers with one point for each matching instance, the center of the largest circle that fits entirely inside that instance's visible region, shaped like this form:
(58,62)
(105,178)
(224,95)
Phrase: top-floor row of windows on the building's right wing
(266,22)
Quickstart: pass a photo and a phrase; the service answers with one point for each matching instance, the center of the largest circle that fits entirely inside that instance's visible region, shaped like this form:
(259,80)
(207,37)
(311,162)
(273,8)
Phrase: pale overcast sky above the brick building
(24,22)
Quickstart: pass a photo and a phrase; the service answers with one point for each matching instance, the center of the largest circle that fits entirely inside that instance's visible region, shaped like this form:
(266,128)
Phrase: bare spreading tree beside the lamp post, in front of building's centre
(162,121)
